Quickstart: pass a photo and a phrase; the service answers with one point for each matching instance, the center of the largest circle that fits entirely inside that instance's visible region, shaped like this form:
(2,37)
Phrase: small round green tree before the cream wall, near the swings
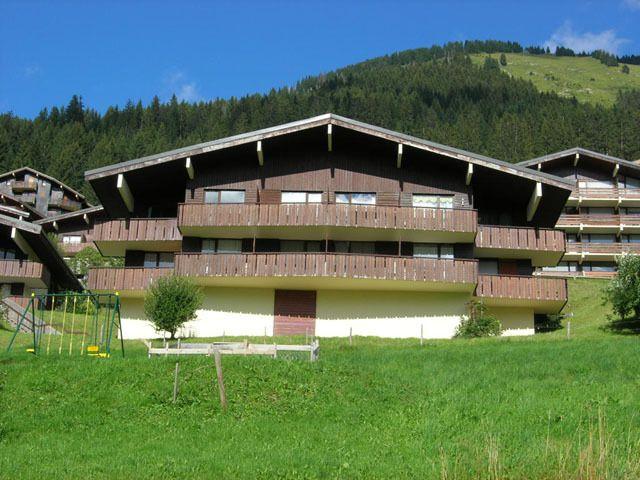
(170,302)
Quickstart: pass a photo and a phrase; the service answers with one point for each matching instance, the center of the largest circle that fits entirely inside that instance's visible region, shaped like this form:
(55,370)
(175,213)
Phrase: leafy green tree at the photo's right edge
(623,291)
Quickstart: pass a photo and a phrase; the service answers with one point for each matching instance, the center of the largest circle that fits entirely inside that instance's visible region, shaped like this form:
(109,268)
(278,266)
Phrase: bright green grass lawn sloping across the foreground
(537,407)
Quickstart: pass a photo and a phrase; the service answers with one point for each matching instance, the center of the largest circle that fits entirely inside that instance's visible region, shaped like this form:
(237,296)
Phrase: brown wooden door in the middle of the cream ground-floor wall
(294,312)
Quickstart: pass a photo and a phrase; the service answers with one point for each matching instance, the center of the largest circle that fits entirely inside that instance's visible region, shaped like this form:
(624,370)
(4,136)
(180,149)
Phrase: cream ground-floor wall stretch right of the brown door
(389,314)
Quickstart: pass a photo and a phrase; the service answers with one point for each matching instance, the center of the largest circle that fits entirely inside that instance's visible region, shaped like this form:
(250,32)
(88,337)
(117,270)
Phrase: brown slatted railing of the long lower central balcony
(327,265)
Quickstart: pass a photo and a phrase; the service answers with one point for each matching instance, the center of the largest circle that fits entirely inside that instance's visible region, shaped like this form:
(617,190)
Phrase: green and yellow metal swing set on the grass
(38,325)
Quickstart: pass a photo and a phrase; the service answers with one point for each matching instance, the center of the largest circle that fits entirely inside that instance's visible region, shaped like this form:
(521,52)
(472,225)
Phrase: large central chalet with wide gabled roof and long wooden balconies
(328,224)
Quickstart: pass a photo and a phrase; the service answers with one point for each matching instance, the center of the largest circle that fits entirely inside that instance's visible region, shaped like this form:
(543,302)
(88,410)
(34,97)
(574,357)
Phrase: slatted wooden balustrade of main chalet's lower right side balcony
(522,287)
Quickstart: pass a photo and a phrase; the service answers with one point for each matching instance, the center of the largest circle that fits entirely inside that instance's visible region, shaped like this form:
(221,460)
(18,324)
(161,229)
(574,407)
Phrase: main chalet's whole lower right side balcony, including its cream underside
(544,294)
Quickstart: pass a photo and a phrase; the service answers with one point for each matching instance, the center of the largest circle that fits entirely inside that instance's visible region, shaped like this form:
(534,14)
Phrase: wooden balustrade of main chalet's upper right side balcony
(520,238)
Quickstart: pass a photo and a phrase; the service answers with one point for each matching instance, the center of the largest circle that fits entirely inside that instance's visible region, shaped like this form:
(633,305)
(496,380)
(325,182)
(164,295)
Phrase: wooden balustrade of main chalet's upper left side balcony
(136,229)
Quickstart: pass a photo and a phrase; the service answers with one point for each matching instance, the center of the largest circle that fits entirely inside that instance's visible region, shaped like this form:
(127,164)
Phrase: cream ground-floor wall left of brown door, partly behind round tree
(225,311)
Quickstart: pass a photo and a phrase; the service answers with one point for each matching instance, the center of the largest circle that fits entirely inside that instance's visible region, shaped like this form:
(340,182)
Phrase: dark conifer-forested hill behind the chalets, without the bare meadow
(435,93)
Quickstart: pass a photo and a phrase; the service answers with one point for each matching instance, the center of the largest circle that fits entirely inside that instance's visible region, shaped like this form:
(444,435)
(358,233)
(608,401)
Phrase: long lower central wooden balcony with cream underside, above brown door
(329,271)
